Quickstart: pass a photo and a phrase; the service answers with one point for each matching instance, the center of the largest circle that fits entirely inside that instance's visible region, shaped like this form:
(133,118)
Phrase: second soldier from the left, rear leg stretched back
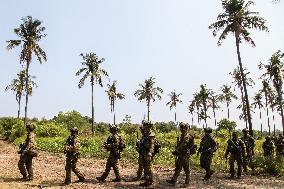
(71,150)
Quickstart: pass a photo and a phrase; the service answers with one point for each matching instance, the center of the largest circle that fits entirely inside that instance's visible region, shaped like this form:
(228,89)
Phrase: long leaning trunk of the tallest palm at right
(244,84)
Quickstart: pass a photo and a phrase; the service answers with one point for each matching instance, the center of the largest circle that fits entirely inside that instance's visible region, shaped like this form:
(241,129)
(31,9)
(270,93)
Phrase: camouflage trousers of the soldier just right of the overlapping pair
(182,162)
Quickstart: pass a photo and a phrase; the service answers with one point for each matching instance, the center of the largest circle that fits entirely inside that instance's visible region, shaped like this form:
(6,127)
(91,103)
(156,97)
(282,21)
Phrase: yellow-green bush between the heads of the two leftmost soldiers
(51,129)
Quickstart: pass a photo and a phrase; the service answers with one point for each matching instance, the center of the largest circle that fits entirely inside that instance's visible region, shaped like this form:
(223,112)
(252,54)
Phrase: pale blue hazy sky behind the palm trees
(166,39)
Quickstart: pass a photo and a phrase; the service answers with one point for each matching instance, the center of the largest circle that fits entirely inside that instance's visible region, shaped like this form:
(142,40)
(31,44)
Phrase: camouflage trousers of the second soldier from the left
(71,166)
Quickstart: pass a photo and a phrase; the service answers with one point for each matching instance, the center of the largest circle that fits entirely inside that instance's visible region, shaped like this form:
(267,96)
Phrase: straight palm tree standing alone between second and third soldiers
(91,69)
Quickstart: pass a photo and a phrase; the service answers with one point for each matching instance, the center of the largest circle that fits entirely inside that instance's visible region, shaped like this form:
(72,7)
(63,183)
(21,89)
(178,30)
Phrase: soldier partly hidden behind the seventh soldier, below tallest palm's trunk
(250,144)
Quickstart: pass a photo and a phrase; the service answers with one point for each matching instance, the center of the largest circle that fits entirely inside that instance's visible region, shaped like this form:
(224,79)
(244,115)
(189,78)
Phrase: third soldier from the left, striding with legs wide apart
(115,146)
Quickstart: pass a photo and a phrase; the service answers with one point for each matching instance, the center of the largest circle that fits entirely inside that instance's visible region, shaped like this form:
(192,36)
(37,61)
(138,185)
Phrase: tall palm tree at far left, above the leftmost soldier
(30,32)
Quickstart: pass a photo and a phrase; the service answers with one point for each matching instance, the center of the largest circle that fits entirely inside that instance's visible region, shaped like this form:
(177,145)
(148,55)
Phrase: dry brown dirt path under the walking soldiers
(49,173)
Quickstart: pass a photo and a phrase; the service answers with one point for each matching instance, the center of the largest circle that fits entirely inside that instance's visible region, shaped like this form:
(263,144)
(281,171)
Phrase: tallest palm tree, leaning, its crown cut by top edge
(238,20)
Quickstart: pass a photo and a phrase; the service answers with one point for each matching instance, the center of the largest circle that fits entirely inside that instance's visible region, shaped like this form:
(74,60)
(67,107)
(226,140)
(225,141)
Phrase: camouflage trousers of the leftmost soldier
(25,165)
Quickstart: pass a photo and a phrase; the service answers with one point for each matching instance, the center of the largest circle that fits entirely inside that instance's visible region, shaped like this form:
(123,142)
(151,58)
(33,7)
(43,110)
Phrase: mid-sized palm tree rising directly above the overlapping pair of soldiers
(148,93)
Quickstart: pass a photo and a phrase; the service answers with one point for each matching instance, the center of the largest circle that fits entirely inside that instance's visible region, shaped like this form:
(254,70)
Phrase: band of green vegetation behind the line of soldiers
(51,135)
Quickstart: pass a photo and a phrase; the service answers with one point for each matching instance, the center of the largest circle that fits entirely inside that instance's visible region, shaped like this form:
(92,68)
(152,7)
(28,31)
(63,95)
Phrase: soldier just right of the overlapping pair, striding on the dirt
(184,149)
